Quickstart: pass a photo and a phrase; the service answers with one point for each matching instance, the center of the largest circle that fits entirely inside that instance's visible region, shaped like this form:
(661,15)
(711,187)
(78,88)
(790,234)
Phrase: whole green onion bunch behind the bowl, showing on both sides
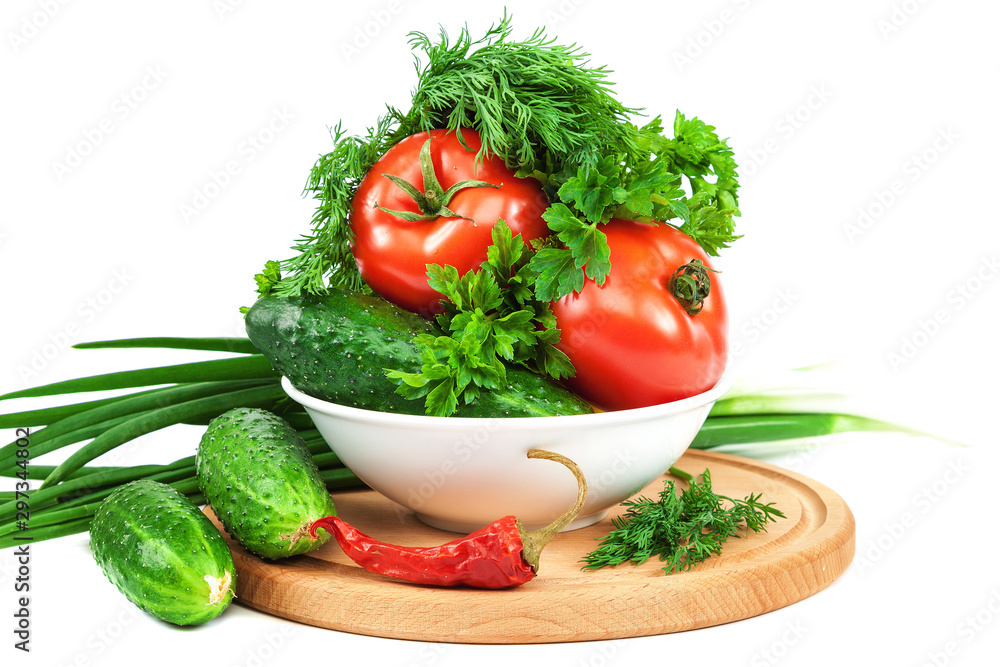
(752,420)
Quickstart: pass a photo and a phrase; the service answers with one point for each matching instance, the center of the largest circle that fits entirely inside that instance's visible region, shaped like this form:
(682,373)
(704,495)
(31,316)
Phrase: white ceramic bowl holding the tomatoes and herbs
(460,473)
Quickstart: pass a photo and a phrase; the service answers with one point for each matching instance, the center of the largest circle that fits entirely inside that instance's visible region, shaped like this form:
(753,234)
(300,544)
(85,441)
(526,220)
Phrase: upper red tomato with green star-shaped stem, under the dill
(392,253)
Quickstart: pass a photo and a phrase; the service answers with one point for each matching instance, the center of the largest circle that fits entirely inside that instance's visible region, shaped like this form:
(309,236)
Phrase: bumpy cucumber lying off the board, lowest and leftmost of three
(157,548)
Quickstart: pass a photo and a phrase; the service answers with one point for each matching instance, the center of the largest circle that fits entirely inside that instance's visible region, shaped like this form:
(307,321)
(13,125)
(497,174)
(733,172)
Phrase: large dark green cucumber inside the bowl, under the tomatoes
(336,347)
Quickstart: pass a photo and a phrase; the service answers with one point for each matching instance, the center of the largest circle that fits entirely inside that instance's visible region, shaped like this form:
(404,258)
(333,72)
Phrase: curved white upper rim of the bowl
(402,420)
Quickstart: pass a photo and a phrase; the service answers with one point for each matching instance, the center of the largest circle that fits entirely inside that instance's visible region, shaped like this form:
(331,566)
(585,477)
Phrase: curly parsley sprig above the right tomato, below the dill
(645,183)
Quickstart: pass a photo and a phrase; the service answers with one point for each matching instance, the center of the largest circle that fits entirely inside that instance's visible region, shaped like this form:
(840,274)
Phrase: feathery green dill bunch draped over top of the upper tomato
(536,104)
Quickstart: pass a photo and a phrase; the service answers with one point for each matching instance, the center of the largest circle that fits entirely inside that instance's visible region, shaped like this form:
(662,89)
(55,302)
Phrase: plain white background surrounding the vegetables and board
(866,136)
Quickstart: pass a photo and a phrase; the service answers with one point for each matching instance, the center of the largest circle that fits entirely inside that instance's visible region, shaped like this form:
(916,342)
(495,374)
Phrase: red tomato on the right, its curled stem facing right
(631,341)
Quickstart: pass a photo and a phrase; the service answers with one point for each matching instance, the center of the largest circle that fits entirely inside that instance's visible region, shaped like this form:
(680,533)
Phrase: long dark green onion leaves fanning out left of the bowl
(194,393)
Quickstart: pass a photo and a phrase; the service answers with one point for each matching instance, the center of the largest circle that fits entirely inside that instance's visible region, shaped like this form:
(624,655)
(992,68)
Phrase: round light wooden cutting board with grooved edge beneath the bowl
(798,556)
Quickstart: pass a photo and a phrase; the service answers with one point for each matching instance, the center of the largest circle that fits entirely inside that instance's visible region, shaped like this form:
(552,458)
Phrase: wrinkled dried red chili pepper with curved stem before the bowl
(500,555)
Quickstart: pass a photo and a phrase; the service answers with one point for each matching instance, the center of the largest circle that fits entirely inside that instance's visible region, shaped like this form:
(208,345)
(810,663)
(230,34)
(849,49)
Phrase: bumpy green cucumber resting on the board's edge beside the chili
(262,483)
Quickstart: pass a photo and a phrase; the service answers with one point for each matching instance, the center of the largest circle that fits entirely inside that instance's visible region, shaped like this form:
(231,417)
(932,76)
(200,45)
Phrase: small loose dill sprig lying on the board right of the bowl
(681,529)
